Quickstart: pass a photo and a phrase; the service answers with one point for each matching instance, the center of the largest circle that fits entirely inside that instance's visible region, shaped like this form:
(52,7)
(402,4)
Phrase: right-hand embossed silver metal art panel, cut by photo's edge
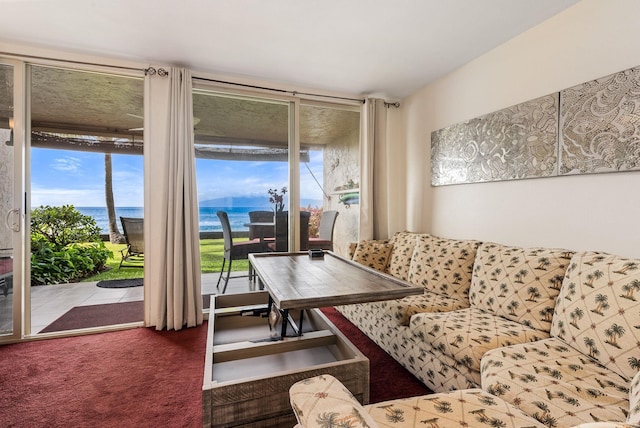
(600,125)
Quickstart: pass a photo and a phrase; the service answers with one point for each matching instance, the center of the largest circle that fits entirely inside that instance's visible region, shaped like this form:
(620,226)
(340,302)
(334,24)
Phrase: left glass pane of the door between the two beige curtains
(241,147)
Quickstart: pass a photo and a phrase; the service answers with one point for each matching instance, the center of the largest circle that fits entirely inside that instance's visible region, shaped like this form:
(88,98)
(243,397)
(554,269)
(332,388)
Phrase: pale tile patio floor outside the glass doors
(49,302)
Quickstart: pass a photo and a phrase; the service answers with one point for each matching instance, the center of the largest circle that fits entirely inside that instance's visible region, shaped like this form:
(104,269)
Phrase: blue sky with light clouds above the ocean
(61,177)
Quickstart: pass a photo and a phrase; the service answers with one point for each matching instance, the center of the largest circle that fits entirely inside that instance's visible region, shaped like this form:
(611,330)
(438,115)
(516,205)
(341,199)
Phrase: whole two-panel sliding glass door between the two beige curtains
(255,157)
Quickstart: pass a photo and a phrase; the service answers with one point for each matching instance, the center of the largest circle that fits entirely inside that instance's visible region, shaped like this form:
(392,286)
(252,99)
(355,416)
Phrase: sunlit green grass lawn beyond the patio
(211,251)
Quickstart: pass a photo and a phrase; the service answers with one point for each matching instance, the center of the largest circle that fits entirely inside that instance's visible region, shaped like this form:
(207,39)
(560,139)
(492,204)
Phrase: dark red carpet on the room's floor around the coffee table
(138,378)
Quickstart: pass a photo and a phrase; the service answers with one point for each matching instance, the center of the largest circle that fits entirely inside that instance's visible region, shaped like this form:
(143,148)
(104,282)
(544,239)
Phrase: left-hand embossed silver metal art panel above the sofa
(513,143)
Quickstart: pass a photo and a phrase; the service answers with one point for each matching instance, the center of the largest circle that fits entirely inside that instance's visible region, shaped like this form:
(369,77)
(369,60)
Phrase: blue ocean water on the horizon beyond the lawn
(209,221)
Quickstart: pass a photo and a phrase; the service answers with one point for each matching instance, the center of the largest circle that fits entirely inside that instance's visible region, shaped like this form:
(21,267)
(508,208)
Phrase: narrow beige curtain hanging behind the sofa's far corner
(376,156)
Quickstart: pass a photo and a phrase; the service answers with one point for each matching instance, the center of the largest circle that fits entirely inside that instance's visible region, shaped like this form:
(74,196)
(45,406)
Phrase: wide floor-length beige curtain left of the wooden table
(172,260)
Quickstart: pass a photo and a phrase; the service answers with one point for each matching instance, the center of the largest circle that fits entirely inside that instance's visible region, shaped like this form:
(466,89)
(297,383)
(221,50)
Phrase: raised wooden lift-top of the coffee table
(295,281)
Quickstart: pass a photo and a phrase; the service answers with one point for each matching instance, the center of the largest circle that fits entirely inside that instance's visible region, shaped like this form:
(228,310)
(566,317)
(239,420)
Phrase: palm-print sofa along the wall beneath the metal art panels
(554,333)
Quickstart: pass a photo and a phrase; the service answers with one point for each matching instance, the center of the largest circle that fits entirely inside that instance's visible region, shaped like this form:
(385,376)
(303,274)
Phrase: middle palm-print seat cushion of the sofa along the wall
(465,335)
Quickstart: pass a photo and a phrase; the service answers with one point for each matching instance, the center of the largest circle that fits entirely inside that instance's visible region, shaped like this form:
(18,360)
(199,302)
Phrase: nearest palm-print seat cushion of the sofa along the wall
(555,383)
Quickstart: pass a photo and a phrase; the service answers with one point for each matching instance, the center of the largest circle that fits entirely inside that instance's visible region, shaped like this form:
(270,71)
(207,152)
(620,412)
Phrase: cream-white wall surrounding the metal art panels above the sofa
(590,212)
